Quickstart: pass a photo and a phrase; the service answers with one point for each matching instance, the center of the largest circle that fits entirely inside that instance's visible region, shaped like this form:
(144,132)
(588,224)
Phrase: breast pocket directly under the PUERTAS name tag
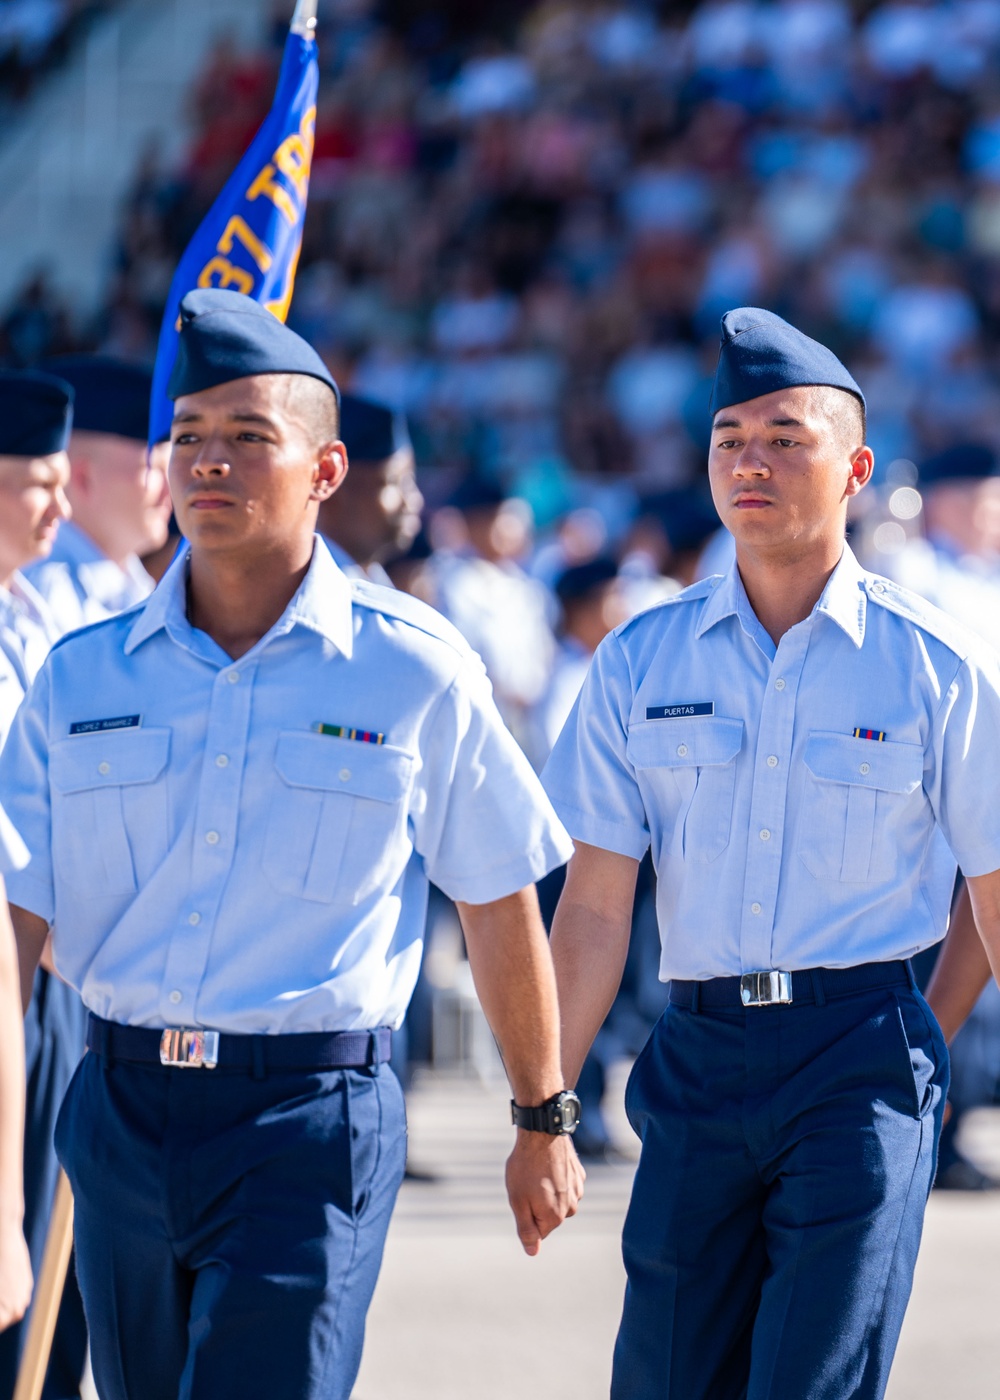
(690,772)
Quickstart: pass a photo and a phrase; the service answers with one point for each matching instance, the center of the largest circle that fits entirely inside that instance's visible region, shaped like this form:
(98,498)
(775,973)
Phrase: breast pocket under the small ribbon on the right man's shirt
(856,796)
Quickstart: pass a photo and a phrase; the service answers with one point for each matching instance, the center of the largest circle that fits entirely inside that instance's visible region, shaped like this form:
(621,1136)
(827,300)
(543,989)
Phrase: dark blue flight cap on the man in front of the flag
(226,335)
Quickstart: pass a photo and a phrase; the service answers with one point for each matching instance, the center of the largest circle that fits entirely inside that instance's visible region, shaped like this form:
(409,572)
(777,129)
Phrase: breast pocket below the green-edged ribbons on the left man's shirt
(337,822)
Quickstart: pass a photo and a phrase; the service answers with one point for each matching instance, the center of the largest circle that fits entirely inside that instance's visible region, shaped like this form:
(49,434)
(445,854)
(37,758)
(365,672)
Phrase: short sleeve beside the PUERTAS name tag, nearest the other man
(589,778)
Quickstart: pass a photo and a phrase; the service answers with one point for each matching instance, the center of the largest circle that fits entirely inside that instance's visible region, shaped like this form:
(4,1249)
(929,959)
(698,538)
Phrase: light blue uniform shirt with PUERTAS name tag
(781,839)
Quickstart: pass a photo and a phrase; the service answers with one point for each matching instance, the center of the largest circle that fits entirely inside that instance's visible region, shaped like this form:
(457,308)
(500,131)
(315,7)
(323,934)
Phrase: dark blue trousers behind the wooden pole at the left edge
(54,1037)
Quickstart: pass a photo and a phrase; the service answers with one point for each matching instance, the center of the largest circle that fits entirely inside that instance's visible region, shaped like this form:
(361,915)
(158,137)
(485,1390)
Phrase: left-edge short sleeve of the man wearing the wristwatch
(25,790)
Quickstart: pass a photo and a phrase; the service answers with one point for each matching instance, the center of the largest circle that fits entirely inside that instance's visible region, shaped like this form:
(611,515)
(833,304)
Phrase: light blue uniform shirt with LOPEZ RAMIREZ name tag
(208,859)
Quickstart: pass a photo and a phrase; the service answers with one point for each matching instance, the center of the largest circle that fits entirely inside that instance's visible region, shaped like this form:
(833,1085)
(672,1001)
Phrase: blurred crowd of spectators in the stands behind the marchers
(526,237)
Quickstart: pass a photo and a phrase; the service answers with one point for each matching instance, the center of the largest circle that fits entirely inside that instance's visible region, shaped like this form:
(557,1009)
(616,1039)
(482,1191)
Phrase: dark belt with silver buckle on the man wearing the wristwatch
(205,1049)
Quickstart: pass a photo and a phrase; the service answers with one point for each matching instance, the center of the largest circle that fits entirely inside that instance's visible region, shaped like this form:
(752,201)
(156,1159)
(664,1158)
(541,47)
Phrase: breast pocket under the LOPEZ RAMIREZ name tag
(110,810)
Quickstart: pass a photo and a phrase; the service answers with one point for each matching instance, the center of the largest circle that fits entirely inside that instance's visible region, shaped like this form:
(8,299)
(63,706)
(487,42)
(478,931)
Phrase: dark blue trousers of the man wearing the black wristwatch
(229,1228)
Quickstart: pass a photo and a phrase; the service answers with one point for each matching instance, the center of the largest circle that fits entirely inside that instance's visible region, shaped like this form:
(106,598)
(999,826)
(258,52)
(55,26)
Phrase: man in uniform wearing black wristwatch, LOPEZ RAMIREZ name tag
(235,796)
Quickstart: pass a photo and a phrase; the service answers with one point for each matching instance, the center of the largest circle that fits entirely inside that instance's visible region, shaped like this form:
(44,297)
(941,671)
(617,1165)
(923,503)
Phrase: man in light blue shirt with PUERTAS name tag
(809,751)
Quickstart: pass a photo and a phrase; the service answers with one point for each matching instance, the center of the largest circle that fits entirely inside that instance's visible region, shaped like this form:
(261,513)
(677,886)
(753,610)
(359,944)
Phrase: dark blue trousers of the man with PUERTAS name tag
(777,1214)
